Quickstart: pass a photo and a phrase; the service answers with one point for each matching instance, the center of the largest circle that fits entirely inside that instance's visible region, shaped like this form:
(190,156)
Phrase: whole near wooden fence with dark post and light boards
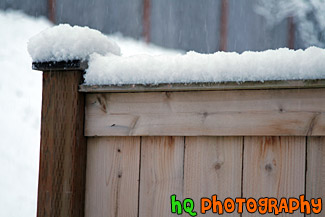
(138,145)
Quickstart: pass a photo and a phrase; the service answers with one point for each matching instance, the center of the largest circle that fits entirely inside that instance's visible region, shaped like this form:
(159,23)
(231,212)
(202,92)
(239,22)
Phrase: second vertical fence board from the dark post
(161,174)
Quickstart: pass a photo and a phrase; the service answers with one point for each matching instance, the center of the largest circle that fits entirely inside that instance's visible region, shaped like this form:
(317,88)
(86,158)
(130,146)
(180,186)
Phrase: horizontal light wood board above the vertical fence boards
(281,112)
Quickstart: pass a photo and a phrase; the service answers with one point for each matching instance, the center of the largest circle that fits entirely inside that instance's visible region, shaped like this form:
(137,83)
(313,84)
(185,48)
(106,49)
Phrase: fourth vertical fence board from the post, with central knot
(274,167)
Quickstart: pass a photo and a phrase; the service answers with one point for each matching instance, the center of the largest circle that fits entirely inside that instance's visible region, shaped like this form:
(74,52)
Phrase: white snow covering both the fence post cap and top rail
(108,67)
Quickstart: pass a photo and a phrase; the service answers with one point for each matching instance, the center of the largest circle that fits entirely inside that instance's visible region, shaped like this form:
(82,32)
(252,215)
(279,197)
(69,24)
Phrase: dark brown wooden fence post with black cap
(61,188)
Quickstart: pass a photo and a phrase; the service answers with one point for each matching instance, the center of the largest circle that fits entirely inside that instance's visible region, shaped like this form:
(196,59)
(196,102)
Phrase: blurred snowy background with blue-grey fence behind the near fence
(204,26)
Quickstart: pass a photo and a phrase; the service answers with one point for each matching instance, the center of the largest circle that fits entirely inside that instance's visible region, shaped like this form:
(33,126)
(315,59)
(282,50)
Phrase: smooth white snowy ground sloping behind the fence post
(20,108)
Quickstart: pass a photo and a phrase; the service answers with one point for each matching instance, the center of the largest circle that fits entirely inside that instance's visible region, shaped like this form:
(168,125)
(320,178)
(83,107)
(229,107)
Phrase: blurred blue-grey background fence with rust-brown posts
(204,26)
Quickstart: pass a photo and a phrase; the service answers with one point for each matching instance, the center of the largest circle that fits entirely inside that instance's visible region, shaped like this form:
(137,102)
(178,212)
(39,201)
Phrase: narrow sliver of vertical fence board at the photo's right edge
(315,180)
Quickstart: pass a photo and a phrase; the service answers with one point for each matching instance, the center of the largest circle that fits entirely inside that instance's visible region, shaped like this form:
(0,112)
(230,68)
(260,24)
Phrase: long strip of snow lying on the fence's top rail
(281,64)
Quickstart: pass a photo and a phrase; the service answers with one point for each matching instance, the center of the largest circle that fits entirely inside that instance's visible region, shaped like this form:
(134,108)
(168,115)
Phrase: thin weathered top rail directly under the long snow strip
(248,85)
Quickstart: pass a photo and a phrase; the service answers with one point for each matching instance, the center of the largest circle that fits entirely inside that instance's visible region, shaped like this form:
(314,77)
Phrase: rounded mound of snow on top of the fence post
(64,42)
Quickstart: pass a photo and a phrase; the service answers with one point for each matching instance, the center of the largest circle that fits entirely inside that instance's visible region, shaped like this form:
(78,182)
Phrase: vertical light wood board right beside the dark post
(112,176)
